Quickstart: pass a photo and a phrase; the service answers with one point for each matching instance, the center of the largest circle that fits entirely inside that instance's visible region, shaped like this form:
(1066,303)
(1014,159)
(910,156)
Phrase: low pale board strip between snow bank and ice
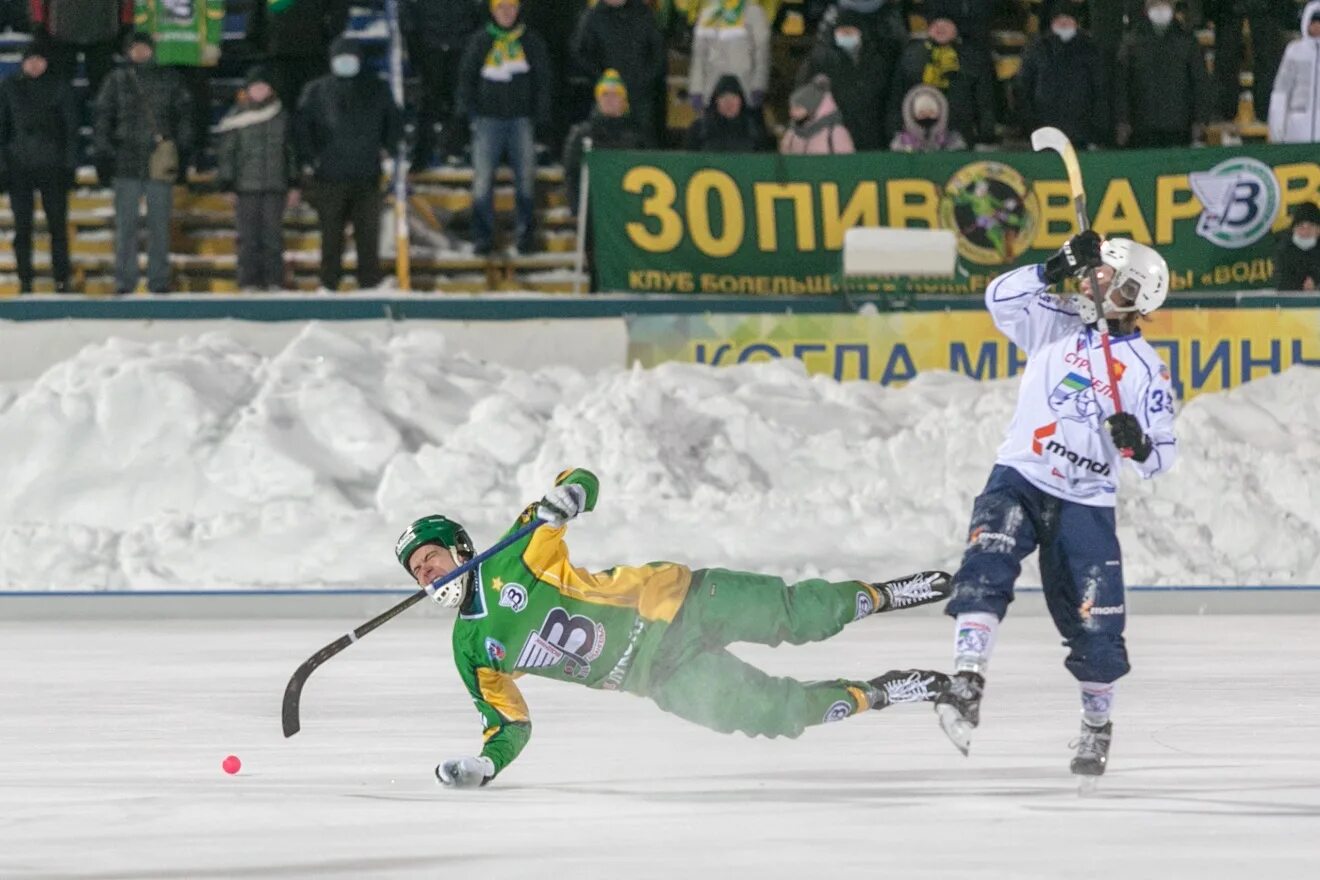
(354,605)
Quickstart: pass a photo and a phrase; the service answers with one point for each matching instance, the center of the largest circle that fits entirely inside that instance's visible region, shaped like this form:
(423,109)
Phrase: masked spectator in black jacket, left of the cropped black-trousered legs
(1164,93)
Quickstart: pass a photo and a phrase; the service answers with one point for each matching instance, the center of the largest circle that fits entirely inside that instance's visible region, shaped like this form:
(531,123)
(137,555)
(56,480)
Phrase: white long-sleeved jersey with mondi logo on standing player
(1058,439)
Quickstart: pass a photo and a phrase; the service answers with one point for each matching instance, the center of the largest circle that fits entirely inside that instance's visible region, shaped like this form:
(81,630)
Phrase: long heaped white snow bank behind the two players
(201,464)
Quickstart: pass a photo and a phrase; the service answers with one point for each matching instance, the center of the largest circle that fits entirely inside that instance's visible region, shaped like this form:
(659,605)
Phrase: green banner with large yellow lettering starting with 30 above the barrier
(774,225)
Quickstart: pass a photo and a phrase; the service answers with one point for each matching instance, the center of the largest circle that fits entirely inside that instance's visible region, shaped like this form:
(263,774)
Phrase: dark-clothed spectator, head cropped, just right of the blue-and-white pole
(436,32)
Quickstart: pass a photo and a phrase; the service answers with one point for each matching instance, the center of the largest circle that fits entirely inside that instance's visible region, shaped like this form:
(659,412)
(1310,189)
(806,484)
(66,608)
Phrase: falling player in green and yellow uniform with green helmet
(657,630)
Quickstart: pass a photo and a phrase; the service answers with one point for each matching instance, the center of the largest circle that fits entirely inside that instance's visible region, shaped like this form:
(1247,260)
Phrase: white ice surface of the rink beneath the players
(114,736)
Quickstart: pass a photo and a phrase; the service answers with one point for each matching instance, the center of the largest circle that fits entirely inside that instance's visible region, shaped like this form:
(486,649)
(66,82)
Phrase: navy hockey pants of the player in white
(1080,568)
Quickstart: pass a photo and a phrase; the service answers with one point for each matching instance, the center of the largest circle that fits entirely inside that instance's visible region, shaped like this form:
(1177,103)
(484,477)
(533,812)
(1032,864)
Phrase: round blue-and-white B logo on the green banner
(1240,200)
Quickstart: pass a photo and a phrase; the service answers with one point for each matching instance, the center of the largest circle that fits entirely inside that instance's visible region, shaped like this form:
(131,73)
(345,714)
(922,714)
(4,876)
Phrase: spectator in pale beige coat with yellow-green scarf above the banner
(731,38)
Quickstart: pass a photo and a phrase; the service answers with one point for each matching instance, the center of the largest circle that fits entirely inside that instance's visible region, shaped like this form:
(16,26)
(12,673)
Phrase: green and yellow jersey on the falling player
(531,612)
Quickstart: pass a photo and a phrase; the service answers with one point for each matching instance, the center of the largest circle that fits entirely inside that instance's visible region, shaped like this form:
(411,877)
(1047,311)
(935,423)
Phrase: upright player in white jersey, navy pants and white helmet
(1057,476)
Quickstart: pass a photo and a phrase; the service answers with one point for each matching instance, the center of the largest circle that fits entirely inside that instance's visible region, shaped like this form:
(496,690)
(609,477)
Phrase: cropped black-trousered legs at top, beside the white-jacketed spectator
(1265,19)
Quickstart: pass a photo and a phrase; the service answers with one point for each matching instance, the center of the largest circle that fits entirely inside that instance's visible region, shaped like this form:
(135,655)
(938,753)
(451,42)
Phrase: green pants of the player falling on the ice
(694,676)
